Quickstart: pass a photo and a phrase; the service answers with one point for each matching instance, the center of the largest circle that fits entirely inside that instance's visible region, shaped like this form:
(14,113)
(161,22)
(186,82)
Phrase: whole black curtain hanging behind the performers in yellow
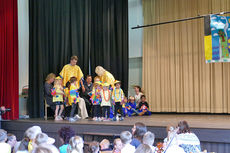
(62,28)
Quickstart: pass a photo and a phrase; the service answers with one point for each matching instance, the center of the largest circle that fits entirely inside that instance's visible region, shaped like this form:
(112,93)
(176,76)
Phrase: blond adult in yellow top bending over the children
(105,76)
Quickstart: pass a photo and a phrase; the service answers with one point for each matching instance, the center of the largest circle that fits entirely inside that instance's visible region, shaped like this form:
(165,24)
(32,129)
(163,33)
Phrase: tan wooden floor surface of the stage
(159,120)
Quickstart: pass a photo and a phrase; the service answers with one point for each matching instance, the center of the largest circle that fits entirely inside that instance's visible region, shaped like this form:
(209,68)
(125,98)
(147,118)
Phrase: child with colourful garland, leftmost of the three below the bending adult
(96,101)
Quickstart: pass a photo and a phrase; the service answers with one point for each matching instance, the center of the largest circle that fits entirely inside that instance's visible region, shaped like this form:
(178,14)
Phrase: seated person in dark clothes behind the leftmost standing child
(47,90)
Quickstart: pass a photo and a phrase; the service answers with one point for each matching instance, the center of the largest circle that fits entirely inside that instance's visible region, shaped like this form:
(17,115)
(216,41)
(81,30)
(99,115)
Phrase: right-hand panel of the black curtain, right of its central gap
(109,41)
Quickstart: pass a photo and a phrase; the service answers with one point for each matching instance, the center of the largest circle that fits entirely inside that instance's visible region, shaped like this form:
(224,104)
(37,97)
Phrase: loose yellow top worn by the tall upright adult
(69,71)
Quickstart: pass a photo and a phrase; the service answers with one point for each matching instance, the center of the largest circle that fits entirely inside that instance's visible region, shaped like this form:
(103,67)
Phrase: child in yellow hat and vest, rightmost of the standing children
(118,97)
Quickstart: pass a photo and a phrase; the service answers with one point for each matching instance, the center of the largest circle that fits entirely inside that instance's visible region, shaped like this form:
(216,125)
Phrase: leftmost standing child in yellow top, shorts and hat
(57,93)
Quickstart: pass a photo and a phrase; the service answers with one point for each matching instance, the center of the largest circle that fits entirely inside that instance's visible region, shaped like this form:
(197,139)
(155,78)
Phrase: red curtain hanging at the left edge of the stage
(9,57)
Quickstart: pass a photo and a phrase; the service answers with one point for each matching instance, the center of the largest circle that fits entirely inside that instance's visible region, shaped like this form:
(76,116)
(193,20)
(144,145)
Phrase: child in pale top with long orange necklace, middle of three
(105,102)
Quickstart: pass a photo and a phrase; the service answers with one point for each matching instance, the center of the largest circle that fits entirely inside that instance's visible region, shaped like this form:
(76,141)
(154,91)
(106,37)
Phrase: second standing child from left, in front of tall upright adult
(74,98)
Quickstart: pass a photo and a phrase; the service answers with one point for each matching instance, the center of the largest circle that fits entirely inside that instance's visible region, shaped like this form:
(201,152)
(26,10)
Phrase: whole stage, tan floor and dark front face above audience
(212,130)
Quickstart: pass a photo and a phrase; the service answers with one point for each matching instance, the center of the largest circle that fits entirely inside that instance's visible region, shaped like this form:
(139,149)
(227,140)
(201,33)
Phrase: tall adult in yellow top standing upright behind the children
(72,70)
